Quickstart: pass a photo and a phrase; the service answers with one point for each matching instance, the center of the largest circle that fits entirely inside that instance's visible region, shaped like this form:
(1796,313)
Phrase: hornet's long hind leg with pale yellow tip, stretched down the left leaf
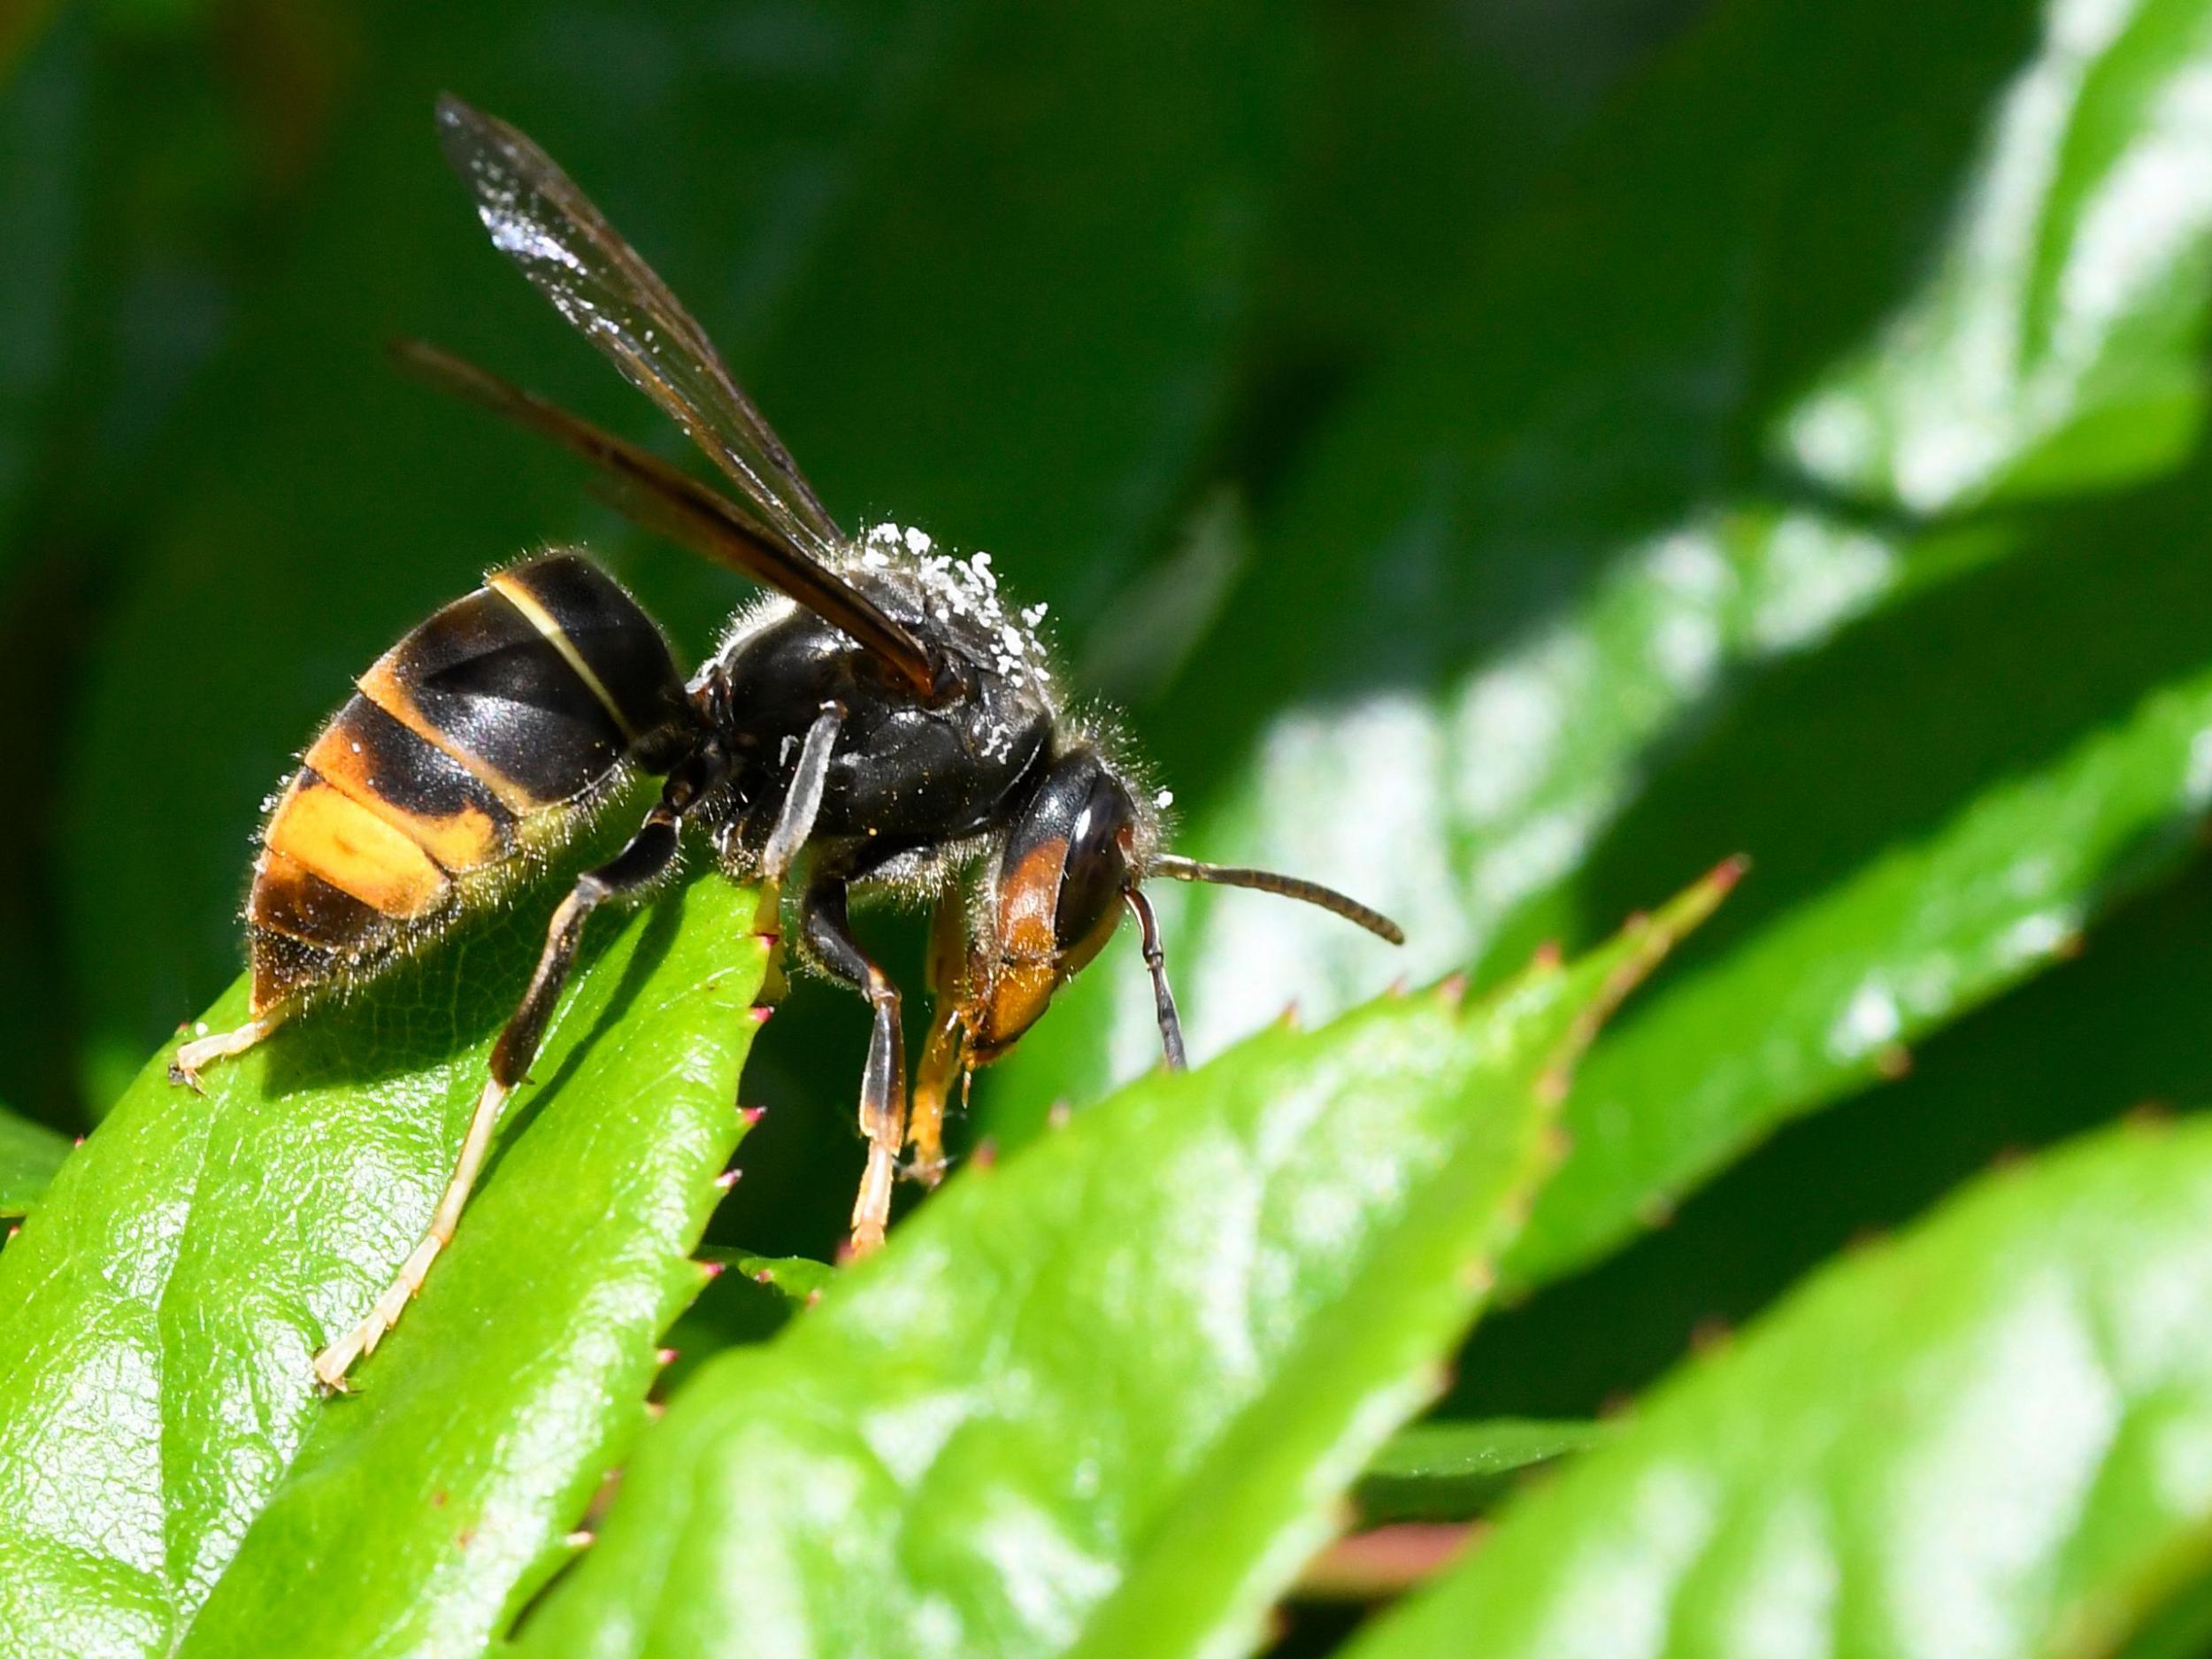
(651,853)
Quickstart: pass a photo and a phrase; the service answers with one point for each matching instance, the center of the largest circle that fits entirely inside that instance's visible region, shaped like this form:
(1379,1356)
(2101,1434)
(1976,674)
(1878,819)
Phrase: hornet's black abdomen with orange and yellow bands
(488,731)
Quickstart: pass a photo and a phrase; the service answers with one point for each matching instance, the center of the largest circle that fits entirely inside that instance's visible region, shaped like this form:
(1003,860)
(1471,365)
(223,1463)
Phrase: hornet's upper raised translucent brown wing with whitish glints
(596,280)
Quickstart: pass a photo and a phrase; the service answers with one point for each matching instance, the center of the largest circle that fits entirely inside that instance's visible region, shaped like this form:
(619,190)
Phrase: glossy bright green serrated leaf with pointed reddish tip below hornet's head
(1096,1399)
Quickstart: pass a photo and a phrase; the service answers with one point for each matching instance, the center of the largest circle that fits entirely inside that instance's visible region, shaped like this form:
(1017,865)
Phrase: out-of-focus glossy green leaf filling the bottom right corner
(1981,1439)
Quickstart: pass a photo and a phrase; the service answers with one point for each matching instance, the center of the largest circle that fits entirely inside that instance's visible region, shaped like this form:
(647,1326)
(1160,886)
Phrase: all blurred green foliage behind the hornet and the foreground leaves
(1503,459)
